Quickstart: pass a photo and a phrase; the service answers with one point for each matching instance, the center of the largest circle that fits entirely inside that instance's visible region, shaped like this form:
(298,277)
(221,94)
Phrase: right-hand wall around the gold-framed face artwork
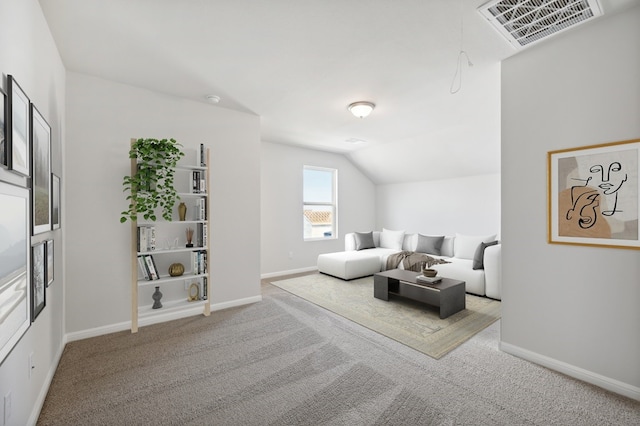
(575,309)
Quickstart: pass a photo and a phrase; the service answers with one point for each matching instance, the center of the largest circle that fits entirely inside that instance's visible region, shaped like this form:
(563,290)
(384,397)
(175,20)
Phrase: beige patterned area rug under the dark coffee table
(414,324)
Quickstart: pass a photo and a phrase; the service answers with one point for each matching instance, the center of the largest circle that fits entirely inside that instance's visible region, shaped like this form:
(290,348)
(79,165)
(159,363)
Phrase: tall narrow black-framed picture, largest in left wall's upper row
(41,172)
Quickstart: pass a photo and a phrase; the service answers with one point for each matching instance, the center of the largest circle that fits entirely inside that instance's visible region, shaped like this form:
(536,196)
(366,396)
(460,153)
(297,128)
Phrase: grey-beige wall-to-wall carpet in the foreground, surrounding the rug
(285,361)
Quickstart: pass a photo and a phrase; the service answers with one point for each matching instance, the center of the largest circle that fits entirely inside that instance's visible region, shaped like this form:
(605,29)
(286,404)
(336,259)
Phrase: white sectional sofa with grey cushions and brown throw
(482,279)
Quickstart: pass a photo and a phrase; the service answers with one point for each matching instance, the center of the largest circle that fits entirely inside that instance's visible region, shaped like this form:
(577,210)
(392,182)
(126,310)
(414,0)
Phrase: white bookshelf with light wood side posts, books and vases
(156,246)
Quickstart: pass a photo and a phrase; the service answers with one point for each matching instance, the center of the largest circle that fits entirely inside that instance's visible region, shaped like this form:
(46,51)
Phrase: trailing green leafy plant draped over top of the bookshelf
(152,184)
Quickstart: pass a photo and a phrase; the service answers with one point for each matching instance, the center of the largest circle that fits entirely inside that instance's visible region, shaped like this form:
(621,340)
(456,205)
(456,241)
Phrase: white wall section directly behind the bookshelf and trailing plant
(102,118)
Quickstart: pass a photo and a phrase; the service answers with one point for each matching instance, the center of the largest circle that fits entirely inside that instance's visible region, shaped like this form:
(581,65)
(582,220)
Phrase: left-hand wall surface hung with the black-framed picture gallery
(27,52)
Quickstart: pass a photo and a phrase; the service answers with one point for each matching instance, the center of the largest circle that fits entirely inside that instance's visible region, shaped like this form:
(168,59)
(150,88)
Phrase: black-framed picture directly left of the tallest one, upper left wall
(18,150)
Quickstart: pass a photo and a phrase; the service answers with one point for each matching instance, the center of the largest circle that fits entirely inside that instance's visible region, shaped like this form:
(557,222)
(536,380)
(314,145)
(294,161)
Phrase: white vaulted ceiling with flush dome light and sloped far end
(299,63)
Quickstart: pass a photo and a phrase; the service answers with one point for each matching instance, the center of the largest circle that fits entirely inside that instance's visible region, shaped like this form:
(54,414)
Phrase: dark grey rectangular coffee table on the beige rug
(448,294)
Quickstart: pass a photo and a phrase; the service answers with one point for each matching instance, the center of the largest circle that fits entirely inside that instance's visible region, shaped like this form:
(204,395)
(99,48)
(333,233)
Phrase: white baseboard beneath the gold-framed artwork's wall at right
(604,382)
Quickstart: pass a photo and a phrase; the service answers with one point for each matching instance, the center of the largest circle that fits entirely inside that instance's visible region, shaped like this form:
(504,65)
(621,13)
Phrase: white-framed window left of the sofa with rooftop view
(319,203)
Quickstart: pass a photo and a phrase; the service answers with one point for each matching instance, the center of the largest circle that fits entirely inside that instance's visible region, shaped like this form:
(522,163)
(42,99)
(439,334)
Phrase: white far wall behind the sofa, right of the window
(469,205)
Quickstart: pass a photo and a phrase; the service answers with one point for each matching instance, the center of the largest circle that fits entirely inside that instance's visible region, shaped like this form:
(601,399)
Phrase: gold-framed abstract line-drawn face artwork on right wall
(593,196)
